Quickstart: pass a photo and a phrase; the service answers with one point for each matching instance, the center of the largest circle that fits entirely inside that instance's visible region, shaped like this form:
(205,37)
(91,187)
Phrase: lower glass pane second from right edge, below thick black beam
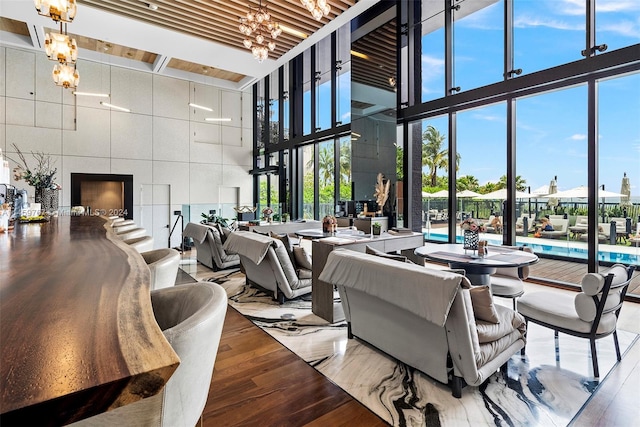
(551,148)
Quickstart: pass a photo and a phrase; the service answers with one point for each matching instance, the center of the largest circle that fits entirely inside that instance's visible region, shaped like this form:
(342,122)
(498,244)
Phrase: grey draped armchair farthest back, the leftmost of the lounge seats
(208,241)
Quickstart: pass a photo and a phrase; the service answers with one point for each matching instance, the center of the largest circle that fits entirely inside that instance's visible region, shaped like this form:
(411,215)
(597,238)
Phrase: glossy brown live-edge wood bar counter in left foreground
(77,331)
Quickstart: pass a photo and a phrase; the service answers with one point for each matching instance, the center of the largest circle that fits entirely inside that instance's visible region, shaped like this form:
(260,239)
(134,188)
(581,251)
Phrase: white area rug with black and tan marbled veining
(544,388)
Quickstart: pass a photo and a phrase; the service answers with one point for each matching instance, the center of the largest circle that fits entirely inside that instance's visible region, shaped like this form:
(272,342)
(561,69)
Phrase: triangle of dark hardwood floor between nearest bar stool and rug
(258,382)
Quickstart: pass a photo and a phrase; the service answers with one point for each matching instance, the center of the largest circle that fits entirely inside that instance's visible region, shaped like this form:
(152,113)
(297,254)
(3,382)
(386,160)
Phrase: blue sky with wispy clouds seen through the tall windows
(551,128)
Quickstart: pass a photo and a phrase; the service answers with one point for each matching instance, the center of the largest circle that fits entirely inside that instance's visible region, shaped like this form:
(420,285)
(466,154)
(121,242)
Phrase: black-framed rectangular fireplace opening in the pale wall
(103,194)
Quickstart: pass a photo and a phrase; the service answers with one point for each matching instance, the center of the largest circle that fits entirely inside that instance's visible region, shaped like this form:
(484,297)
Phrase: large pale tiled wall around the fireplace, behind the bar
(162,141)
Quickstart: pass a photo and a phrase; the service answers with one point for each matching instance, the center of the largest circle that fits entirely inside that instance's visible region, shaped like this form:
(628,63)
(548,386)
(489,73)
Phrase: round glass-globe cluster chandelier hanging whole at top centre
(260,31)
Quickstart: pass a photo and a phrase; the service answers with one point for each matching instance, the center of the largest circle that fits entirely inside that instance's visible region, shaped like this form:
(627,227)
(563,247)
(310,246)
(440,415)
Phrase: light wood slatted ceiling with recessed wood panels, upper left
(217,21)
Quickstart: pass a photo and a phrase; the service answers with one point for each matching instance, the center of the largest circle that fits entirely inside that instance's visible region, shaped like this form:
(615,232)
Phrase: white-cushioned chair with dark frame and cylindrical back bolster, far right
(591,314)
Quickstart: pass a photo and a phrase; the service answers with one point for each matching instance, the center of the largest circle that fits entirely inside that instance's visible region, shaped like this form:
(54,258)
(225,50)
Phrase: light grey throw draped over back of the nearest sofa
(424,292)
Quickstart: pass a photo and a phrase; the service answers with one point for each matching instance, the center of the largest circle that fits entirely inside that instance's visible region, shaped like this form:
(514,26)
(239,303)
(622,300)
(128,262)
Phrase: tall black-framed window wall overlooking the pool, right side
(539,85)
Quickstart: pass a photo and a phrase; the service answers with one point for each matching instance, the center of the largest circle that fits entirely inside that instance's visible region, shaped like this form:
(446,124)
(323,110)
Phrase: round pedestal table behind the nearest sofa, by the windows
(478,269)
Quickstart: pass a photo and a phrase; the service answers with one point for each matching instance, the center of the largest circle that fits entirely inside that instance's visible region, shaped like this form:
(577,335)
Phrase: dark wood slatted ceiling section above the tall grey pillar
(380,64)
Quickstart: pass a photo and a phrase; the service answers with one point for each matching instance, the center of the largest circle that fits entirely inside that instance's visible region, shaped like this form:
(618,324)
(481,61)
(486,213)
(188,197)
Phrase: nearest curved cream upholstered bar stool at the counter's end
(191,318)
